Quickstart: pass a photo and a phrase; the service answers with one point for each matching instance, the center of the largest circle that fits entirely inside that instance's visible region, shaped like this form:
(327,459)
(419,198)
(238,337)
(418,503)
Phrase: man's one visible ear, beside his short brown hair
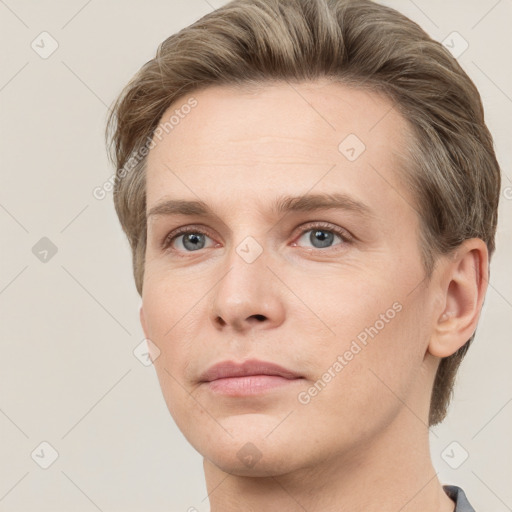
(463,285)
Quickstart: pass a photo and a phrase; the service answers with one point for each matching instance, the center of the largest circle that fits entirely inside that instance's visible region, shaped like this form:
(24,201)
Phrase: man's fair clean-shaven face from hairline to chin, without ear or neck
(326,285)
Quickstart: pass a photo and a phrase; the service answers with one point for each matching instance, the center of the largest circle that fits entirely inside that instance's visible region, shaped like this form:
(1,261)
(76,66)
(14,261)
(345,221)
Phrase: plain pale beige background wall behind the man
(69,325)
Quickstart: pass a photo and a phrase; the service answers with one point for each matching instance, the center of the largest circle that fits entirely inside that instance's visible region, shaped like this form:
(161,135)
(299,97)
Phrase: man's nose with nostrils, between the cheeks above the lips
(248,296)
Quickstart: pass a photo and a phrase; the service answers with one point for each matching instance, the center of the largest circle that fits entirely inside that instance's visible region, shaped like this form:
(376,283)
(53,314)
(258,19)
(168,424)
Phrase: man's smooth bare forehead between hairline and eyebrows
(274,137)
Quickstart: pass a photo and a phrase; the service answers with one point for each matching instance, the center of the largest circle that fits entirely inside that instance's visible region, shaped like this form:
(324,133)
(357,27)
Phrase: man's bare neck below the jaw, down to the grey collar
(392,472)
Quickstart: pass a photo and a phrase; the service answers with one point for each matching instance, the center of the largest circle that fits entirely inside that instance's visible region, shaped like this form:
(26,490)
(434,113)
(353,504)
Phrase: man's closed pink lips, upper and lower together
(251,377)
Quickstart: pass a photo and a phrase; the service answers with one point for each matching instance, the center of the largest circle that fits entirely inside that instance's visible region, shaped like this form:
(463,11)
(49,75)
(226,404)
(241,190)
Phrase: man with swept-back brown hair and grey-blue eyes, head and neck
(310,193)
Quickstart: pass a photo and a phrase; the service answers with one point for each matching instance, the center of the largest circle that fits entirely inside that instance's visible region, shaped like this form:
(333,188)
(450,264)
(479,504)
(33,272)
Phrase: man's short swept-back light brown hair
(452,171)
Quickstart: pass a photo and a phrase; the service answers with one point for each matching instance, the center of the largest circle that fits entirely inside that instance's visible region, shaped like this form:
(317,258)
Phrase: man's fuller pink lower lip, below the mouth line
(249,385)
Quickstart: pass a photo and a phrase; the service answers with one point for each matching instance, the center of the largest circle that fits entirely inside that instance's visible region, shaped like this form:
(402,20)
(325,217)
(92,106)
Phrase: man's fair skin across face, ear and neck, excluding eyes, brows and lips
(360,444)
